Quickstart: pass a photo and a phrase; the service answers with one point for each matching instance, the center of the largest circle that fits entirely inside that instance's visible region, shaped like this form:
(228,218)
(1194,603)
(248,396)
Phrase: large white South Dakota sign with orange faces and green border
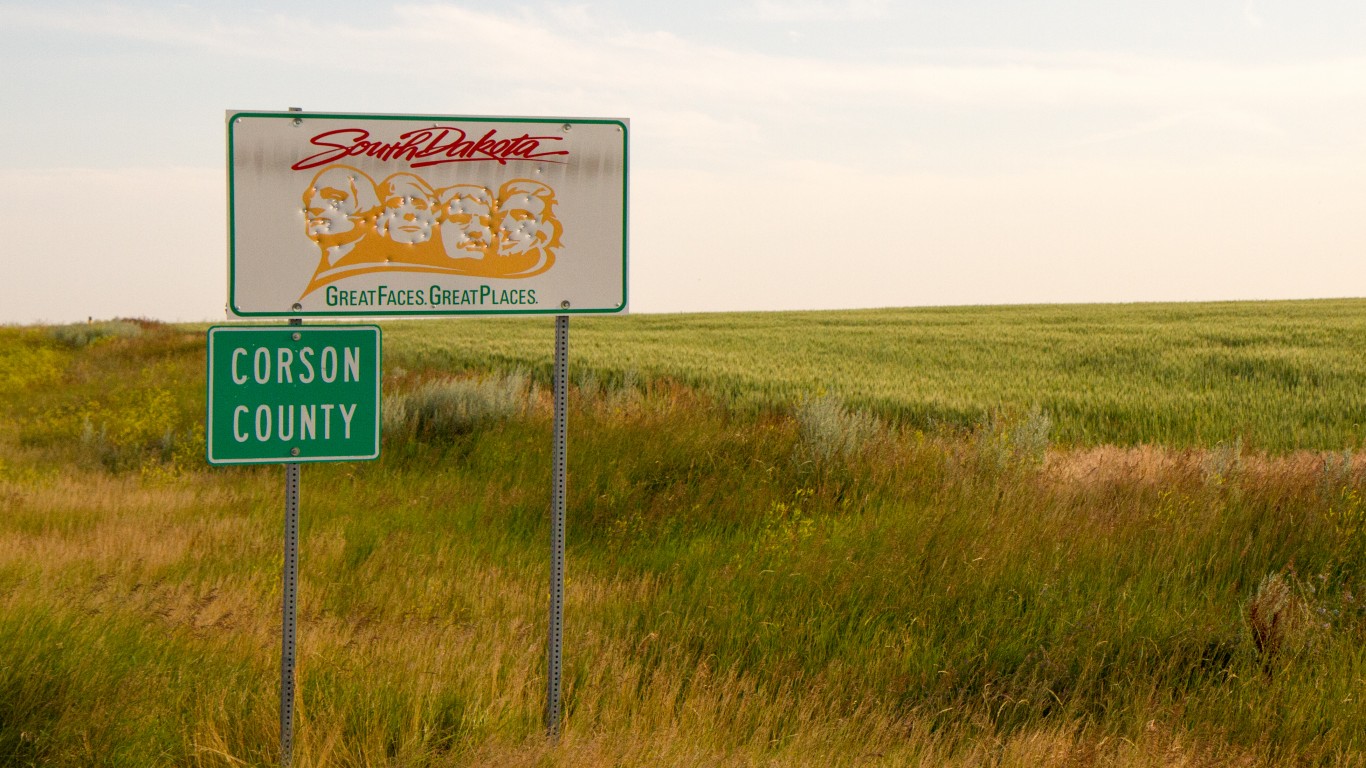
(400,215)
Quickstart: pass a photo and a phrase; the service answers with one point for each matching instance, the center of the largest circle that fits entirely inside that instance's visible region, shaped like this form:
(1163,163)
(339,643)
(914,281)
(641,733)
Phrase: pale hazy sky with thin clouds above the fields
(783,154)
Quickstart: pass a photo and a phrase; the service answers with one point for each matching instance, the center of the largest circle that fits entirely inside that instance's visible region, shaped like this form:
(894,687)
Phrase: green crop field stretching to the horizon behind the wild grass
(1279,375)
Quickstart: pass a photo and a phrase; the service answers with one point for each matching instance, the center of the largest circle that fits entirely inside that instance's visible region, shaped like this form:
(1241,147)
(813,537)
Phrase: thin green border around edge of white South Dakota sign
(233,223)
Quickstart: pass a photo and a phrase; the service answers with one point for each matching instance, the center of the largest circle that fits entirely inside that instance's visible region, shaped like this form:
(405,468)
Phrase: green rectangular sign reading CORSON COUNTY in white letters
(293,394)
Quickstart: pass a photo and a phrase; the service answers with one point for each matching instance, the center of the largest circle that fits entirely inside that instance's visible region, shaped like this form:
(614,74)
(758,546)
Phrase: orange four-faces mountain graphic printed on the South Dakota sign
(402,225)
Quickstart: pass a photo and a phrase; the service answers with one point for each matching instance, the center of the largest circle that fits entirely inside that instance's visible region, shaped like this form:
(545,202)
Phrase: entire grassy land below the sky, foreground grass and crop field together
(1021,536)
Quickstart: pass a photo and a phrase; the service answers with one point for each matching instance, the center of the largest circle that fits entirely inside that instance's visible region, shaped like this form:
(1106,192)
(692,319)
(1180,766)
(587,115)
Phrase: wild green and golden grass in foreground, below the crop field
(423,613)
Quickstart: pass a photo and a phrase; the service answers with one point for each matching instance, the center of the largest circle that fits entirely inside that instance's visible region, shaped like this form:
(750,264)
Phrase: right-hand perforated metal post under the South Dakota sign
(562,407)
